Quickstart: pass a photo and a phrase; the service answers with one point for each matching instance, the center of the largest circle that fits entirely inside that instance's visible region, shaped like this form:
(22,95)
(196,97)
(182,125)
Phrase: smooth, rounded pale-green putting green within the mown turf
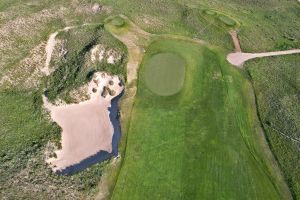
(165,73)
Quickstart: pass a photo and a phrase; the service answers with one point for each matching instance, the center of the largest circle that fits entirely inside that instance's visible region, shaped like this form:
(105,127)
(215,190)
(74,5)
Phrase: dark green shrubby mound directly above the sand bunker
(76,68)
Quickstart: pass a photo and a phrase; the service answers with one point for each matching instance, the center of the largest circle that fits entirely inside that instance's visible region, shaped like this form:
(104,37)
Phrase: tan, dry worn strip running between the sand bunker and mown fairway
(136,40)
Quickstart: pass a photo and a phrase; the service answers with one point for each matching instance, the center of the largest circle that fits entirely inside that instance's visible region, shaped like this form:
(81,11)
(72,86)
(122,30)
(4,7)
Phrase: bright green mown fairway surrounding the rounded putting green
(202,143)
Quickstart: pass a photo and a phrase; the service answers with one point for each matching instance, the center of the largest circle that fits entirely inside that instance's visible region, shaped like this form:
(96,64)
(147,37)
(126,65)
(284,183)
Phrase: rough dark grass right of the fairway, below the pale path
(277,85)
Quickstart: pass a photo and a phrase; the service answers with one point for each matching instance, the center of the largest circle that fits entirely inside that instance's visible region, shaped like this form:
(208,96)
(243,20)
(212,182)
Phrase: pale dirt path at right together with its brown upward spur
(239,58)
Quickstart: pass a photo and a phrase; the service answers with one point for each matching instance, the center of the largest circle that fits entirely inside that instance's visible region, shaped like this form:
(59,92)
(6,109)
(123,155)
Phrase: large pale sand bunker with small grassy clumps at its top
(86,127)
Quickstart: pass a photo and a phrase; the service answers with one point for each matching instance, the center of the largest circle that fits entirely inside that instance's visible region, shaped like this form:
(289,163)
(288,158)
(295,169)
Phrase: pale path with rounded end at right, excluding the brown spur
(239,58)
